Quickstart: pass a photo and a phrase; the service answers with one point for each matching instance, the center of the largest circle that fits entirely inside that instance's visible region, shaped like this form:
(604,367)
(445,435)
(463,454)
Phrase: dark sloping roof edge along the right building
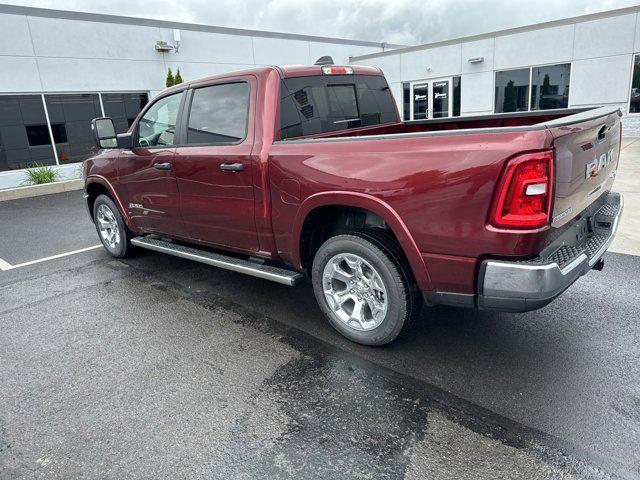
(499,33)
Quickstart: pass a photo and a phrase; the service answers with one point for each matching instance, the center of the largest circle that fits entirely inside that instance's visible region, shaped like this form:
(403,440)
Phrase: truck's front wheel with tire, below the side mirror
(112,231)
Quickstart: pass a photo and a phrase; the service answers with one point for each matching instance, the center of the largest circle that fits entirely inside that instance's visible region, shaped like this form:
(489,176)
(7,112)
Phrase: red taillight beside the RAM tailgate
(523,199)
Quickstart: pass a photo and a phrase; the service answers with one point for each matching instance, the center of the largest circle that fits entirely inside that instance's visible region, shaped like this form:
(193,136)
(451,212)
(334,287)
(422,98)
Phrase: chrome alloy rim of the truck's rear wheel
(355,291)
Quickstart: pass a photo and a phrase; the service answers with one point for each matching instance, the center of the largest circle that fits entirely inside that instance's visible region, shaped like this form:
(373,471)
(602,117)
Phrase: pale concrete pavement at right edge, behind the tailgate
(628,183)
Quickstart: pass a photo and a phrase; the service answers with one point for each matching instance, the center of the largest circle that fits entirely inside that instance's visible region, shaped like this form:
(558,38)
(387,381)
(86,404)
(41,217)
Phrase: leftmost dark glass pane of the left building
(24,136)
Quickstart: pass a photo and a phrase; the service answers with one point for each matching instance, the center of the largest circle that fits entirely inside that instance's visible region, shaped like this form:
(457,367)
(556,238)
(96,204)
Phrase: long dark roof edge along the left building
(148,22)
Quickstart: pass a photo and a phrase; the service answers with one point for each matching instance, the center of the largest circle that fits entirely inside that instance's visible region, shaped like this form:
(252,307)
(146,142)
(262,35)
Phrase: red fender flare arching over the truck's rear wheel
(375,205)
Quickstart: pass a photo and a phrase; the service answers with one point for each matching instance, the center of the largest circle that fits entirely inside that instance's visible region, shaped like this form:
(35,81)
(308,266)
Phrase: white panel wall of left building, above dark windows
(47,54)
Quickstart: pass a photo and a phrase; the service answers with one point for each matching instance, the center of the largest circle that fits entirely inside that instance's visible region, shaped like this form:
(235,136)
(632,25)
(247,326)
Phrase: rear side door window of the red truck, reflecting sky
(218,114)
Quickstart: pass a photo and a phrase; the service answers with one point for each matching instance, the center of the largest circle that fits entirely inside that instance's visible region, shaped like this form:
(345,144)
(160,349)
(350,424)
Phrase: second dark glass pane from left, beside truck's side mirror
(73,113)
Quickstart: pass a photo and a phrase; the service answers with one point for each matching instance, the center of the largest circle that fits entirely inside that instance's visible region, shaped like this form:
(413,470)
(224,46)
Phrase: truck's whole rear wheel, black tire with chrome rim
(370,304)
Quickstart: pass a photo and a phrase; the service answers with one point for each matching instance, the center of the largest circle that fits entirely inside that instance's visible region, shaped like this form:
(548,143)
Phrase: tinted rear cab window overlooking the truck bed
(329,103)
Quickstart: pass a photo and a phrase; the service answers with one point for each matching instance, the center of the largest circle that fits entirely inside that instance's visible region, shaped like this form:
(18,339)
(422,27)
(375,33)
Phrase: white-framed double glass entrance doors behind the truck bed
(431,99)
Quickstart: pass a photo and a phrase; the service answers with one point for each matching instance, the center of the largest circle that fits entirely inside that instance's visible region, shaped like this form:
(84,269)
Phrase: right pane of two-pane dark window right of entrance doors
(550,87)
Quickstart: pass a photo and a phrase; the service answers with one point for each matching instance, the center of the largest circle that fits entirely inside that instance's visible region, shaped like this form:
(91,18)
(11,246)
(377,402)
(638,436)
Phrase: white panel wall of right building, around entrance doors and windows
(600,48)
